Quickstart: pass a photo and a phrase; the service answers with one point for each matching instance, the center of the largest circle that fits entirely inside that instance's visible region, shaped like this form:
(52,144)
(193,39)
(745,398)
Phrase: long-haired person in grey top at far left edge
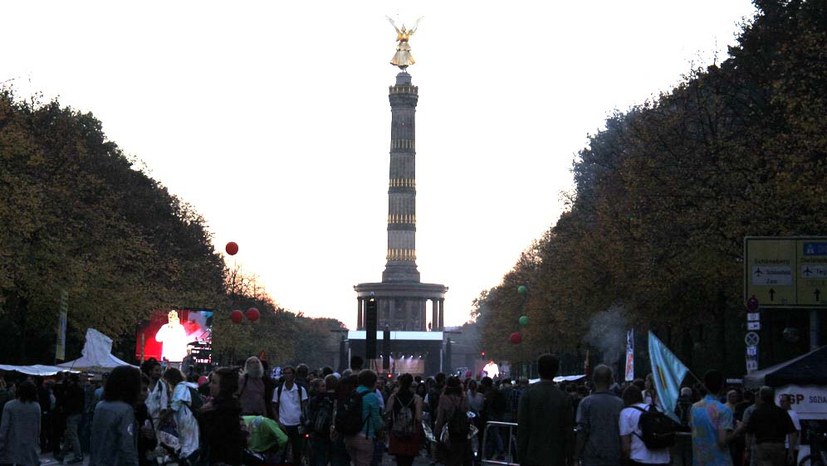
(20,427)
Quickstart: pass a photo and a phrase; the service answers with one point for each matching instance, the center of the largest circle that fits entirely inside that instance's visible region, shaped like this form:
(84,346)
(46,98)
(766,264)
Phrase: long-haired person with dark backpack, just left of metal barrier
(452,419)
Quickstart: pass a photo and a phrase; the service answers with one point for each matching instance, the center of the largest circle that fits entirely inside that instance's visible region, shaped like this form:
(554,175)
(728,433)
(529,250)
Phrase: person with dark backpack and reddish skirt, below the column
(404,410)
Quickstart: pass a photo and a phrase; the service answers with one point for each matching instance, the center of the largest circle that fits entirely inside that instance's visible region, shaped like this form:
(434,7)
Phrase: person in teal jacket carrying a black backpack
(359,419)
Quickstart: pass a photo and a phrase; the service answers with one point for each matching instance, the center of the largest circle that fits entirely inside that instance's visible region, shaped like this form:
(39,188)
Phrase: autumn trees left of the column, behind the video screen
(77,216)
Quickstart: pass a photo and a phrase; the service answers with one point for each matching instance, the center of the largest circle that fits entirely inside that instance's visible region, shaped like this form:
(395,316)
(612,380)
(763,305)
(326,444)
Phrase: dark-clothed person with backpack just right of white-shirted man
(319,421)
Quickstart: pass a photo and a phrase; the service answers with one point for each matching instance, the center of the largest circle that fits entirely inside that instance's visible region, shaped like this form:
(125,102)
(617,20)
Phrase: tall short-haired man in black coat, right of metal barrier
(545,430)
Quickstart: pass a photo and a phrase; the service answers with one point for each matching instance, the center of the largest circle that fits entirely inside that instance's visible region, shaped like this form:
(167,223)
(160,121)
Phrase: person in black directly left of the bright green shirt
(220,420)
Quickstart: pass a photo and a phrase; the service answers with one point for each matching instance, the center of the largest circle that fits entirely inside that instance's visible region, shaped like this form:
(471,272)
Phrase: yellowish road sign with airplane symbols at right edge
(786,271)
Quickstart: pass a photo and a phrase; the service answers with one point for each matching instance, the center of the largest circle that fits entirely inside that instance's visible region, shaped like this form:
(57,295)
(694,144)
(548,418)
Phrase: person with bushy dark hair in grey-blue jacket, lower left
(114,439)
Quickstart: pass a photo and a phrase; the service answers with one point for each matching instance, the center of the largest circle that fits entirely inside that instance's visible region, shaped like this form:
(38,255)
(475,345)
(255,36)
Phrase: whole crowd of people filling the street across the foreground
(243,416)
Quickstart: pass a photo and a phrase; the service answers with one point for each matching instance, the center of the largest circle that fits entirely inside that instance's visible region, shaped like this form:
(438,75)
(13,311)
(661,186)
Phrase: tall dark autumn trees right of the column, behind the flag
(666,193)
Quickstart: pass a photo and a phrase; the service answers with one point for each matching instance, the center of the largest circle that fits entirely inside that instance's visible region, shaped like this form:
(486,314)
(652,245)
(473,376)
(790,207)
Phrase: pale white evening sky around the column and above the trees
(272,118)
